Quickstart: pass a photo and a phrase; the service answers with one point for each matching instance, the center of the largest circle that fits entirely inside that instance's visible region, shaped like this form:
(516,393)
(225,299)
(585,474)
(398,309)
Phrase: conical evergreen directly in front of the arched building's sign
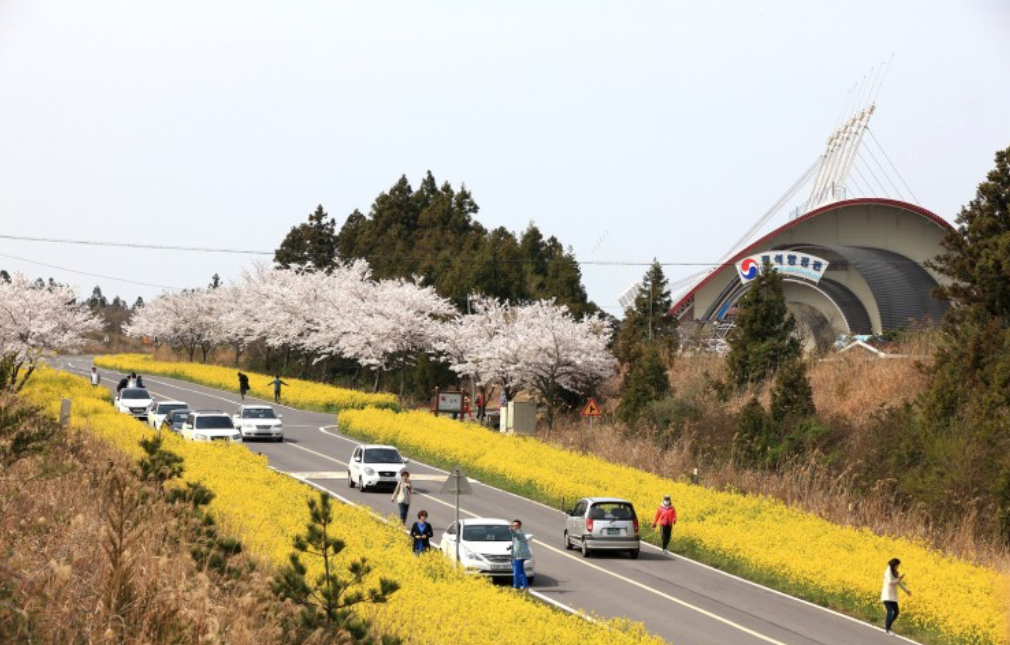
(763,340)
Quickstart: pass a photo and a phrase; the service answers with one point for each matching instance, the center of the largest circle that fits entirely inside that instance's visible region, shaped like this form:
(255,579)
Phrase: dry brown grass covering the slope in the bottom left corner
(58,579)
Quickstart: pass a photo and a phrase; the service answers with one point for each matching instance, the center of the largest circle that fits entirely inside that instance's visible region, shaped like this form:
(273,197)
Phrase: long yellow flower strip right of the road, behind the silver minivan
(960,602)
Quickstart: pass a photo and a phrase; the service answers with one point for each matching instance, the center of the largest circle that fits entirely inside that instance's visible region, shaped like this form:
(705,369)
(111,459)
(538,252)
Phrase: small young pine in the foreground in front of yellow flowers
(329,601)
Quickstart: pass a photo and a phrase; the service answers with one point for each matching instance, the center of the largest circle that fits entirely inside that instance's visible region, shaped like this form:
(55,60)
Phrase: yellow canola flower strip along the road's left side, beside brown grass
(266,510)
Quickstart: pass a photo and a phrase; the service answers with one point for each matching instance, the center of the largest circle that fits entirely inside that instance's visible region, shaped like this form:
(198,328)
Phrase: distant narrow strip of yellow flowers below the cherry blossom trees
(307,395)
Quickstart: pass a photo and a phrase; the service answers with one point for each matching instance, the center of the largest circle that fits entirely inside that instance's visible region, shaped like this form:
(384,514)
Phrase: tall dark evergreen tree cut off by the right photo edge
(965,451)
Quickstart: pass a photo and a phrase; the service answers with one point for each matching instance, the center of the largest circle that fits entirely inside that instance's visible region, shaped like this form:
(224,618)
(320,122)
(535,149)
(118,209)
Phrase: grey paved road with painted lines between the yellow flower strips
(682,601)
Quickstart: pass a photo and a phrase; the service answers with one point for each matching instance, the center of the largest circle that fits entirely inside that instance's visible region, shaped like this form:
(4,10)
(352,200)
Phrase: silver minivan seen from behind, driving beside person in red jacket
(604,524)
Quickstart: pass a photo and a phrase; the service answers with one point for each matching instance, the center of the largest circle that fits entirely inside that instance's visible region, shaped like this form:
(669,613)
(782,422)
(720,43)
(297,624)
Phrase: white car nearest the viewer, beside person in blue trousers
(485,548)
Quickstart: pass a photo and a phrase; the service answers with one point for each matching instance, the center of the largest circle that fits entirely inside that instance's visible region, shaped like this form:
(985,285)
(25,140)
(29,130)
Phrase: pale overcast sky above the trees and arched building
(631,131)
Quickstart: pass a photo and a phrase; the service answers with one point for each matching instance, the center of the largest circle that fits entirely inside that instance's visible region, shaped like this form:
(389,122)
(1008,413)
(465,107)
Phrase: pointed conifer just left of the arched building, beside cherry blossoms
(650,321)
